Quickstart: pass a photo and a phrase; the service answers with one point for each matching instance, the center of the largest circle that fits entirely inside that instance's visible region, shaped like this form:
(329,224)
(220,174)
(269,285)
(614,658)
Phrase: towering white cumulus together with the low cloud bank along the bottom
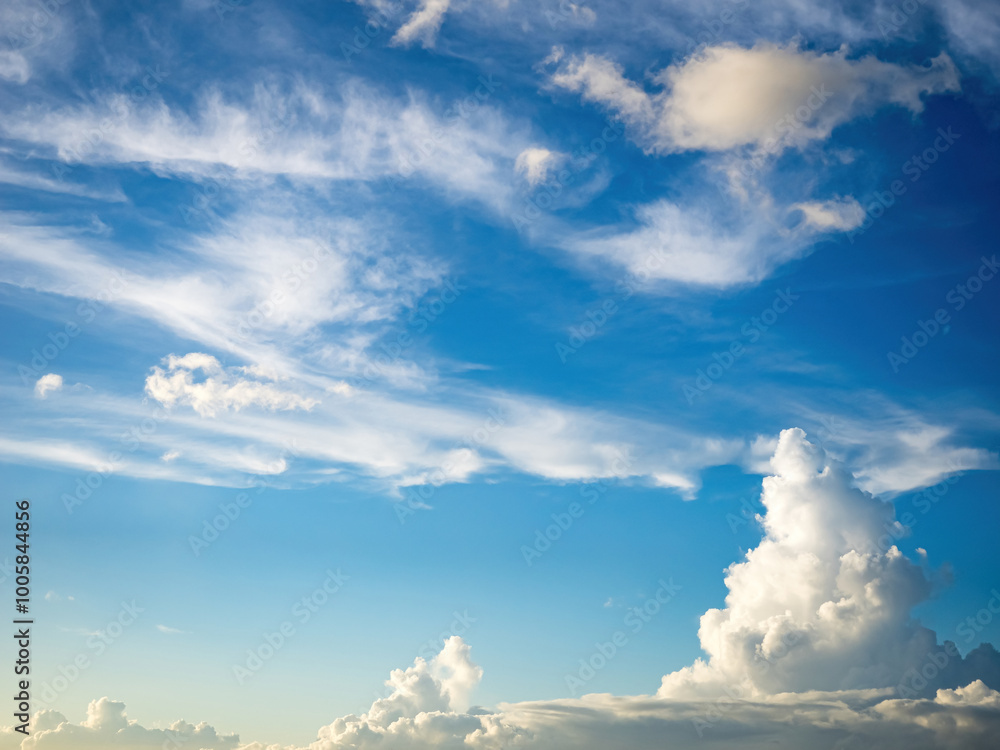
(816,647)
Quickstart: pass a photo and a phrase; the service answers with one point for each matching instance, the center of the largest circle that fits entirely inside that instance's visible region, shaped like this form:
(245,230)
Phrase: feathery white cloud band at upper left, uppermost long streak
(301,130)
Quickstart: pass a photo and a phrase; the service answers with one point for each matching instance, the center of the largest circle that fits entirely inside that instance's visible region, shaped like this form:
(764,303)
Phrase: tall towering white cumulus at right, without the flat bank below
(824,602)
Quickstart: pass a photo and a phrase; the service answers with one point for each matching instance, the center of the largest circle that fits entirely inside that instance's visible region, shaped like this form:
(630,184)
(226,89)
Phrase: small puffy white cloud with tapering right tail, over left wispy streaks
(219,391)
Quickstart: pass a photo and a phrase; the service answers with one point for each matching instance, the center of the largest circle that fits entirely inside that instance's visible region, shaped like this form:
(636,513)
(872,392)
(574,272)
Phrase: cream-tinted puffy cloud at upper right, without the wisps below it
(768,96)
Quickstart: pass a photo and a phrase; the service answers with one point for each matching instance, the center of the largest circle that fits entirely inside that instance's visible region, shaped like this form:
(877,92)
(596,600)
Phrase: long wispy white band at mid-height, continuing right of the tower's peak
(398,439)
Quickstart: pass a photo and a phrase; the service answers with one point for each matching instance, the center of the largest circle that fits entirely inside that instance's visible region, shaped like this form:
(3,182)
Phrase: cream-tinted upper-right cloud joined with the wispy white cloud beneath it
(750,105)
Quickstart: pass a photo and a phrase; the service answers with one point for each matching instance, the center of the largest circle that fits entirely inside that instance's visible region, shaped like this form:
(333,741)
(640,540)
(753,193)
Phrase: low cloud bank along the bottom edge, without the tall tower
(419,715)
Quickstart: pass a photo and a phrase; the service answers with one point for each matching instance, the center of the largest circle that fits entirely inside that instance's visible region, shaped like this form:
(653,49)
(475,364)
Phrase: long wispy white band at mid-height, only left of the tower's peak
(397,439)
